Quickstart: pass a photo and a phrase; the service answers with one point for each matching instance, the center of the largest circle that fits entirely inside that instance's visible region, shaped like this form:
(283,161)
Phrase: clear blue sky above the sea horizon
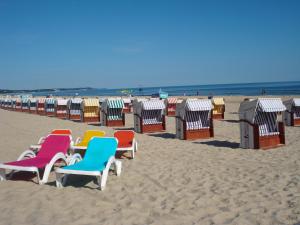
(112,44)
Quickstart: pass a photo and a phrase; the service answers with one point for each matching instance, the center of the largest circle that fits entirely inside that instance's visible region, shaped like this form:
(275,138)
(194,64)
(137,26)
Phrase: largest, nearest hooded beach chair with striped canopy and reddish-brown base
(261,124)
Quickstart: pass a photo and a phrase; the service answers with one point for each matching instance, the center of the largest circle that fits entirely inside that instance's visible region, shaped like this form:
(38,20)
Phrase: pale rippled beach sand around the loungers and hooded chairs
(170,181)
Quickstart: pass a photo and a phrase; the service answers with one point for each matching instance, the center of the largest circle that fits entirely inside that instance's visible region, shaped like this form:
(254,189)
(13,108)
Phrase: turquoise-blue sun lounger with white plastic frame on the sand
(99,157)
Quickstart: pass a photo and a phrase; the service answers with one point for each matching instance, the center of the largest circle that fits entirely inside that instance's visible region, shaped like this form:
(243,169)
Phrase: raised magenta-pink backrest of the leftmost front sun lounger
(54,144)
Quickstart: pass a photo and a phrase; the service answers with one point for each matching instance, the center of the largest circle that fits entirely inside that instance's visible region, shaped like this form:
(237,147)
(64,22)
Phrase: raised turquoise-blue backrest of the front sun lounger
(99,150)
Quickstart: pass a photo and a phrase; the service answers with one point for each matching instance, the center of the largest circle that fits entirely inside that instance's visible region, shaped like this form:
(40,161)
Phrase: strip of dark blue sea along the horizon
(249,89)
